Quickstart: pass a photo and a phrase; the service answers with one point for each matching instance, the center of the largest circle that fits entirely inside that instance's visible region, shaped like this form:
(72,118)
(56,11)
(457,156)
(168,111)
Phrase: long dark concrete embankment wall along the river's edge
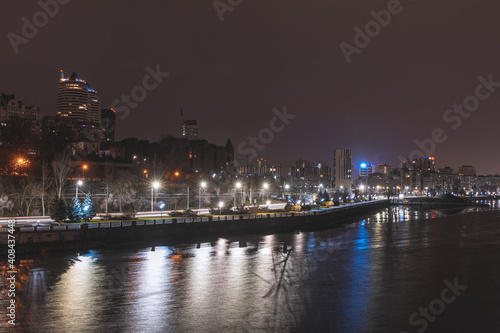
(98,234)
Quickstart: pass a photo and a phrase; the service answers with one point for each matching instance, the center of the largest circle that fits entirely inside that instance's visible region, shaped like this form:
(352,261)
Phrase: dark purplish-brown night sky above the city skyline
(229,75)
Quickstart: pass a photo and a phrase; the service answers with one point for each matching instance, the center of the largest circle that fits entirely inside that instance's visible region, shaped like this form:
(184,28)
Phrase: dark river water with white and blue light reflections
(370,275)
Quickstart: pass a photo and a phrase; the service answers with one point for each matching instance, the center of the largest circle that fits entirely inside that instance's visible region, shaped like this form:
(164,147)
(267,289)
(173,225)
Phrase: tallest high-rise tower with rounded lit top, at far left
(77,100)
